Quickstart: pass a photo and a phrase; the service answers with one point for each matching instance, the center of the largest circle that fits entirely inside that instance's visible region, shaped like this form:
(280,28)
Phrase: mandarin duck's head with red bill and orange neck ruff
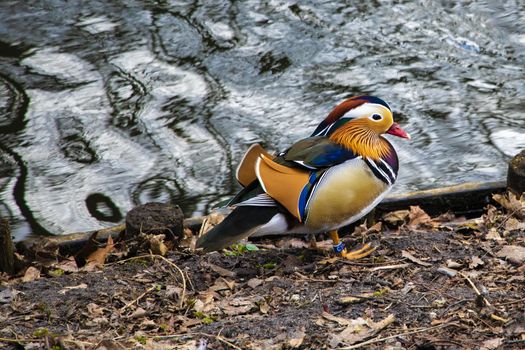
(358,122)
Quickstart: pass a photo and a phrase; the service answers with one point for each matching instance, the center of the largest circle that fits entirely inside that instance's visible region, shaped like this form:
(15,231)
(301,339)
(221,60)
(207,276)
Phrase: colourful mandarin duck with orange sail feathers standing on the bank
(320,184)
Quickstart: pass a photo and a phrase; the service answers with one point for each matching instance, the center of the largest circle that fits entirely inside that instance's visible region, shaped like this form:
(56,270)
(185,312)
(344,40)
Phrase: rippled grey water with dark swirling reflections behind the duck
(111,104)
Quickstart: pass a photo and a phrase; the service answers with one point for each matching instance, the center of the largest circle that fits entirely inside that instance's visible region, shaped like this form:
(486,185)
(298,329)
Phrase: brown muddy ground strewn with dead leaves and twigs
(446,283)
